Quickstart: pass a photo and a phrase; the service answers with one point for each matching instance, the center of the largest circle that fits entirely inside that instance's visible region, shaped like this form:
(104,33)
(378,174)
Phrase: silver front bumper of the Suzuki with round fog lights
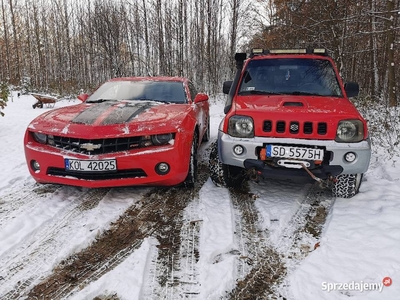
(334,164)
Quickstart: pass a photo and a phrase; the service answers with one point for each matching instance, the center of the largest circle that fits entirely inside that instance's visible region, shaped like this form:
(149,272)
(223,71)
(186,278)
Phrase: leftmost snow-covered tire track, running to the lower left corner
(23,265)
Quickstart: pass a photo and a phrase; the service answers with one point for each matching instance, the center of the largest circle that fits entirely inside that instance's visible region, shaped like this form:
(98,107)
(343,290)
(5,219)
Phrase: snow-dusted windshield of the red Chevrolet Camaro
(161,91)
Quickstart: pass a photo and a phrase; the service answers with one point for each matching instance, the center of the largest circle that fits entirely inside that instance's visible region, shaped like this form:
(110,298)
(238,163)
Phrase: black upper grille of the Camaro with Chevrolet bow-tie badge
(100,146)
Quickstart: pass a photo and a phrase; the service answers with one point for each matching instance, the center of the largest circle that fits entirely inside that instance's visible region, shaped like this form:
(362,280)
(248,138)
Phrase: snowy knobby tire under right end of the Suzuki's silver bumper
(347,185)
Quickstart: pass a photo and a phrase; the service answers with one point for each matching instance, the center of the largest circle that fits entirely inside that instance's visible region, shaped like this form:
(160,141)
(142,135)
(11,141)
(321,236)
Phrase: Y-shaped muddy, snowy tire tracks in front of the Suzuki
(263,271)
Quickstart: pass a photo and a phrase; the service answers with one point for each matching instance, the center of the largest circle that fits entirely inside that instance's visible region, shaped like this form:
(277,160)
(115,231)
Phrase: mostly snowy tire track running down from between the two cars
(175,275)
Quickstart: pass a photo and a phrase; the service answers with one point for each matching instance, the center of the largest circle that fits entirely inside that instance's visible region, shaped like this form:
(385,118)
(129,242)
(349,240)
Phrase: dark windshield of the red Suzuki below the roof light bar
(293,76)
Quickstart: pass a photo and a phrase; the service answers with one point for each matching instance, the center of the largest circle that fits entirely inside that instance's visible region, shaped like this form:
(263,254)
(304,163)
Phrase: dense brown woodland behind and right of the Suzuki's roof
(361,36)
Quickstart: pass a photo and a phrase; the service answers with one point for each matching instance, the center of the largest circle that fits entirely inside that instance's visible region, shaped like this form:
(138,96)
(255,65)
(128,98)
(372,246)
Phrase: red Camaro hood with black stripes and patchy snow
(112,118)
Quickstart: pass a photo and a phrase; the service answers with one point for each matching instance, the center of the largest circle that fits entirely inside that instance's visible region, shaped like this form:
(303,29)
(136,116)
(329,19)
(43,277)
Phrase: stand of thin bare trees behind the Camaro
(64,45)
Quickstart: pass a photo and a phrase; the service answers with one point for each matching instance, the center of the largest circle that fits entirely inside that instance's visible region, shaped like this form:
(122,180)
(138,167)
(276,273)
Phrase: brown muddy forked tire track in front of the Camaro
(156,215)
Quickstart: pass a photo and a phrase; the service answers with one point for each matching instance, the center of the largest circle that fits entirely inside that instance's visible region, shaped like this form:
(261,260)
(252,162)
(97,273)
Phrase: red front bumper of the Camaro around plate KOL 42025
(134,168)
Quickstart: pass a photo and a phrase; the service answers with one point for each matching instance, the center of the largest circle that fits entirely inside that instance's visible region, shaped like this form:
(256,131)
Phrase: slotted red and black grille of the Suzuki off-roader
(295,127)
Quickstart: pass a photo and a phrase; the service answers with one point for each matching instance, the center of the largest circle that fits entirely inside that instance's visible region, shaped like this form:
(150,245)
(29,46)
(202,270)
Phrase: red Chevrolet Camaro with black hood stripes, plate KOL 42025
(130,131)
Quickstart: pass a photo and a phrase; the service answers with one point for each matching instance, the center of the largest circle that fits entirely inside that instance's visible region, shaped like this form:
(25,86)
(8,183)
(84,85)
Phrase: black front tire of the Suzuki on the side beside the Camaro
(222,174)
